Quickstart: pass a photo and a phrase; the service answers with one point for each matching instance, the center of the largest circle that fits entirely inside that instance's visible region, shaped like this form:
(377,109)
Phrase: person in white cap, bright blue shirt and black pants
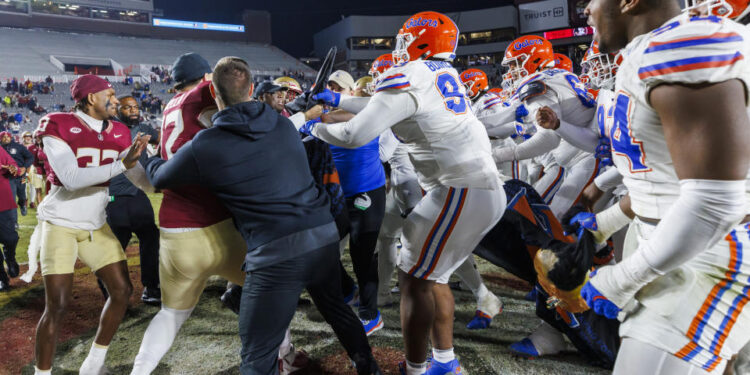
(363,180)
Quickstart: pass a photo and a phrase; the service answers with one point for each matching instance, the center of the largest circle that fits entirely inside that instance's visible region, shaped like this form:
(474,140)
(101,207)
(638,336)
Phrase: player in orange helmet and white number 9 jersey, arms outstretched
(421,99)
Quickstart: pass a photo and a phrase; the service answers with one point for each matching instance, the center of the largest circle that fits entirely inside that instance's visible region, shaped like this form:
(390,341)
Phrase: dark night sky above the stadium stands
(294,22)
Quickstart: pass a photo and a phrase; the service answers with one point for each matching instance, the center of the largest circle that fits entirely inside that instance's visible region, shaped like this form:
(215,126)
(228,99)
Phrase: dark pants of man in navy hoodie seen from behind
(269,299)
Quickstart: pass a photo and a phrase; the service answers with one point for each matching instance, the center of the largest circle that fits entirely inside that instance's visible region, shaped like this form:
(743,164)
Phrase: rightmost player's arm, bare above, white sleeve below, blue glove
(707,130)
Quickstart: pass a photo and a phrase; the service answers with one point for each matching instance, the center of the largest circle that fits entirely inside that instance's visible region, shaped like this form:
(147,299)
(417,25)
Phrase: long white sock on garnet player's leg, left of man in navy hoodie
(158,339)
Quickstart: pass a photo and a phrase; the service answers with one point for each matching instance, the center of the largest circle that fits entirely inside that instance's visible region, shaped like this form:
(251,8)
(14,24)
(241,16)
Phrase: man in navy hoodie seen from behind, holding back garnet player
(253,160)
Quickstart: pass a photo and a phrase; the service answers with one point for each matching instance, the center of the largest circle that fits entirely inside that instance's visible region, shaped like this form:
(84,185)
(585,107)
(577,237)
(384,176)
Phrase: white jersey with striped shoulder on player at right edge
(684,50)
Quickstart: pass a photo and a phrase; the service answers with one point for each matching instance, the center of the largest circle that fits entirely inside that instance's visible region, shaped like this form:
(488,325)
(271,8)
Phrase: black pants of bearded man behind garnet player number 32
(133,214)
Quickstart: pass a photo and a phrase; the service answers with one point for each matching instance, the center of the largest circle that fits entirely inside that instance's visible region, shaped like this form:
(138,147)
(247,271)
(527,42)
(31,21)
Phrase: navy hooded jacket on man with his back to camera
(254,161)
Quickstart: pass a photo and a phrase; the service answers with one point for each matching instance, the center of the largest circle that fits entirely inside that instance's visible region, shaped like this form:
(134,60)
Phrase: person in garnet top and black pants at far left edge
(8,234)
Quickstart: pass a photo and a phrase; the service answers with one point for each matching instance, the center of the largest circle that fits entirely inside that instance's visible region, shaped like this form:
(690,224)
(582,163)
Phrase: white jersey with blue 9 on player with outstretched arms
(448,146)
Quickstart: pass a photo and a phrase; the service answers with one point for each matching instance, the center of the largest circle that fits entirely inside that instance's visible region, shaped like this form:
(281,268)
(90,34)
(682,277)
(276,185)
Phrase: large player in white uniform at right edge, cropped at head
(679,137)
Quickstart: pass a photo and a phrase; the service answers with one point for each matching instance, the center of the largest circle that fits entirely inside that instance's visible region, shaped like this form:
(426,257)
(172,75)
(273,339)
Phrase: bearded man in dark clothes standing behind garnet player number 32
(129,210)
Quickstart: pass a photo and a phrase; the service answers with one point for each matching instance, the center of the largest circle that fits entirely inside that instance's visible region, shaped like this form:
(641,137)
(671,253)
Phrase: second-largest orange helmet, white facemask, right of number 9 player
(527,55)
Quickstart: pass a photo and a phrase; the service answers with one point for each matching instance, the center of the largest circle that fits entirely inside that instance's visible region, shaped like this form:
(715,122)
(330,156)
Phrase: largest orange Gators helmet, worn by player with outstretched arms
(425,35)
